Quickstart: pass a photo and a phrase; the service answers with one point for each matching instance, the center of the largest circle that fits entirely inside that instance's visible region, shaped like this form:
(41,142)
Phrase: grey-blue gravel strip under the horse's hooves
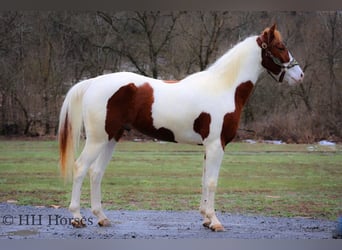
(28,222)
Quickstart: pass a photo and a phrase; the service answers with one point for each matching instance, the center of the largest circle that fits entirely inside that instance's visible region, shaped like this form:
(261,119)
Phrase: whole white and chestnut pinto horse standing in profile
(204,108)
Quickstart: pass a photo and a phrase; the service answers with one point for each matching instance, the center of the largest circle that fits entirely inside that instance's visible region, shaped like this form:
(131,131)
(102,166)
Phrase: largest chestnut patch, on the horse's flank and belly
(131,106)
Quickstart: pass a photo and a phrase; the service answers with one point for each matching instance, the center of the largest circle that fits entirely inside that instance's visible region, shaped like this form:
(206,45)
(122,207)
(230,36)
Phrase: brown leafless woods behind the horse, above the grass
(43,53)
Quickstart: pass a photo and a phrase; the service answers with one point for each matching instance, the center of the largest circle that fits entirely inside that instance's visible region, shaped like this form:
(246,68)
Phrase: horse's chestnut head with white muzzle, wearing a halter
(276,58)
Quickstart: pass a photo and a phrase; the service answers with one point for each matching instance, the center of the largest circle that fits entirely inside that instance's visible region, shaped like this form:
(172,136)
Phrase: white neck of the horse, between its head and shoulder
(240,64)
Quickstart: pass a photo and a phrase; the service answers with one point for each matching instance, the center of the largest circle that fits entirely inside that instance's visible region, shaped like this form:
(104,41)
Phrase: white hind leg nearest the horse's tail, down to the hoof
(89,154)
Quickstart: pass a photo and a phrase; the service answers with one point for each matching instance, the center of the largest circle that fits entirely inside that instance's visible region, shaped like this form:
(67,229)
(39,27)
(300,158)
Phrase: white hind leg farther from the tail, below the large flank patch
(96,172)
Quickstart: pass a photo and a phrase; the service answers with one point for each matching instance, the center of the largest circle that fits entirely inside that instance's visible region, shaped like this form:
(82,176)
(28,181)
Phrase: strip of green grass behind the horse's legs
(277,180)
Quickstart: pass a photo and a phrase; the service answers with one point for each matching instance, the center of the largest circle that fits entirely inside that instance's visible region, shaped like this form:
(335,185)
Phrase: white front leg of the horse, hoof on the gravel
(211,168)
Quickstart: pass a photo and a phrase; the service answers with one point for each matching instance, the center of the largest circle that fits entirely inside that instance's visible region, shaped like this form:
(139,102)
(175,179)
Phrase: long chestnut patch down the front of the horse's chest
(231,120)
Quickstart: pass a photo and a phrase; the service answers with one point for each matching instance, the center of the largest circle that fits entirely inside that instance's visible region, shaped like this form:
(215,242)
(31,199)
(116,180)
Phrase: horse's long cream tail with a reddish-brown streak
(70,125)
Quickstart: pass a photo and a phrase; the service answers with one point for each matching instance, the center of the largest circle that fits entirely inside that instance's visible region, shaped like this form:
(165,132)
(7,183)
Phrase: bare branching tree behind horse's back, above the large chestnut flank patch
(143,38)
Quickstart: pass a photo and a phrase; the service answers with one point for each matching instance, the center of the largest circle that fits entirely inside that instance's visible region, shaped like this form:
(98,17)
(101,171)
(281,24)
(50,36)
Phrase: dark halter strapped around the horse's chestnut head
(283,67)
